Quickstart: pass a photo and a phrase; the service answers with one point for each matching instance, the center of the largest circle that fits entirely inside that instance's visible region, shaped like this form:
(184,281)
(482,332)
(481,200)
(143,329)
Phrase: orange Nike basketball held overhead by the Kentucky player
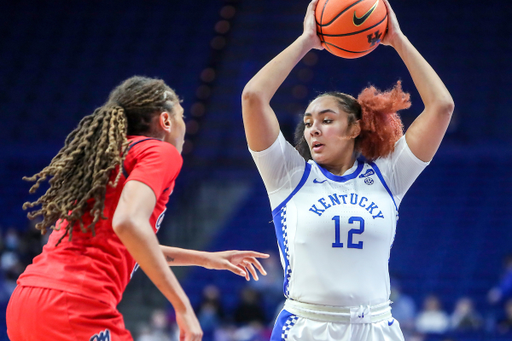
(351,28)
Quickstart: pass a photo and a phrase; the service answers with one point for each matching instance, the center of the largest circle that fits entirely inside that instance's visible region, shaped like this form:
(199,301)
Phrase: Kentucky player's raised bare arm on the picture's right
(426,132)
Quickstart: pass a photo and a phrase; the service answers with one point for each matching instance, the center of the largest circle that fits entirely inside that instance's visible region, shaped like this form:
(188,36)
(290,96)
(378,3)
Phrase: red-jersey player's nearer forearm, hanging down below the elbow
(142,244)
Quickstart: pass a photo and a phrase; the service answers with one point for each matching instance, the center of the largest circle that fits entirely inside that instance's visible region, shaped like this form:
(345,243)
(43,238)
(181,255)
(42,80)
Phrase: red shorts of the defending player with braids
(41,314)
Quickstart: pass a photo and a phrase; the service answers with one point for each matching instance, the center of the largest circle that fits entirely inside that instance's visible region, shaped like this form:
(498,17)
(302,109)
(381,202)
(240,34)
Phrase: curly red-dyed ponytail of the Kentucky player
(380,124)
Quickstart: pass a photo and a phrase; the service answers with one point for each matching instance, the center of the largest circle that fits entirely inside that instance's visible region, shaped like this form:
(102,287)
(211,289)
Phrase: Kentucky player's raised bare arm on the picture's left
(260,121)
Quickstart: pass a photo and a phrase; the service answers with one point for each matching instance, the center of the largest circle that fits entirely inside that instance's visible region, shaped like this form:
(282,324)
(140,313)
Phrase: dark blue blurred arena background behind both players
(59,59)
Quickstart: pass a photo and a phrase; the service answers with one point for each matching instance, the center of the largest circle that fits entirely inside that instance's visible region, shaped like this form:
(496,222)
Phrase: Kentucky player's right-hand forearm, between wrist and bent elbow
(431,88)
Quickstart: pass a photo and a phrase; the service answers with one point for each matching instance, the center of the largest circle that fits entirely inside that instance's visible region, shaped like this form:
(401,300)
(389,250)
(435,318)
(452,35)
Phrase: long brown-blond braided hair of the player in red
(81,170)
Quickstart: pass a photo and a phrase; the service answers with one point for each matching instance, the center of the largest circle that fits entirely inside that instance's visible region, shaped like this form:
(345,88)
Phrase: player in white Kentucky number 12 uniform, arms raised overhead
(335,197)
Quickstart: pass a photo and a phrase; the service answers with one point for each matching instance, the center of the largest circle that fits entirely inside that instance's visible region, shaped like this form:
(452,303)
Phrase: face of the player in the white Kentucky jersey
(327,131)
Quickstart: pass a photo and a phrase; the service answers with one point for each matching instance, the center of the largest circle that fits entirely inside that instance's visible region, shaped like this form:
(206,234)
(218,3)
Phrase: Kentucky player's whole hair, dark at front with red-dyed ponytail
(380,124)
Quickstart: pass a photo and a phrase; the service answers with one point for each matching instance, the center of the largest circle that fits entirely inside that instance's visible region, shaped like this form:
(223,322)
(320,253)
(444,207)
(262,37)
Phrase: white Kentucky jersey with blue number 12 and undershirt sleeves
(335,232)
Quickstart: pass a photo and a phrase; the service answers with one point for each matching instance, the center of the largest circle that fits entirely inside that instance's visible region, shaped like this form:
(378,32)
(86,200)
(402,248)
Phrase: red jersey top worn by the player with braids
(100,266)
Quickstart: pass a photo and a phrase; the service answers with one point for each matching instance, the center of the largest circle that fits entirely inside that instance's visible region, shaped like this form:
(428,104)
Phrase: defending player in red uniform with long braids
(108,190)
